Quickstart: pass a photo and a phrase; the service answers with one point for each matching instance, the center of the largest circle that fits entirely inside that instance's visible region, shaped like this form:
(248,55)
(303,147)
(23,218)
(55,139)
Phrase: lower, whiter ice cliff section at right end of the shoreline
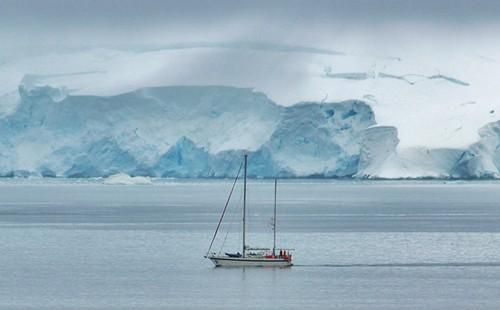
(380,157)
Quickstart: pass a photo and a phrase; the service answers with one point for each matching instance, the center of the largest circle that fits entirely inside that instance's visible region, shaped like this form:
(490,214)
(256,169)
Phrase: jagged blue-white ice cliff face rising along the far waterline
(203,131)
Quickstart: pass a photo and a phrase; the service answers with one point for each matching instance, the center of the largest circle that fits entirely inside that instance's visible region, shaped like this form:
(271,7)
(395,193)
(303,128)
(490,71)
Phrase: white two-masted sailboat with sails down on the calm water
(250,257)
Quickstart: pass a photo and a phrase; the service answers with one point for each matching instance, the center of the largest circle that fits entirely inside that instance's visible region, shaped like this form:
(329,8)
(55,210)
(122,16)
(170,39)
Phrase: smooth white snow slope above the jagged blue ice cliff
(452,89)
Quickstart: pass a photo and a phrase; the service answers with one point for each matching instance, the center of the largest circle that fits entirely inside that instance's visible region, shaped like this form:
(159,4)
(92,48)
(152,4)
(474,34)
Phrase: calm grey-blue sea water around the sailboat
(358,245)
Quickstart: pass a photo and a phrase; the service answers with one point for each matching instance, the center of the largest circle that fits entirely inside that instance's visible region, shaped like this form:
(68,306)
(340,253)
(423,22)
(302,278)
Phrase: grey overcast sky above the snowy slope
(58,23)
